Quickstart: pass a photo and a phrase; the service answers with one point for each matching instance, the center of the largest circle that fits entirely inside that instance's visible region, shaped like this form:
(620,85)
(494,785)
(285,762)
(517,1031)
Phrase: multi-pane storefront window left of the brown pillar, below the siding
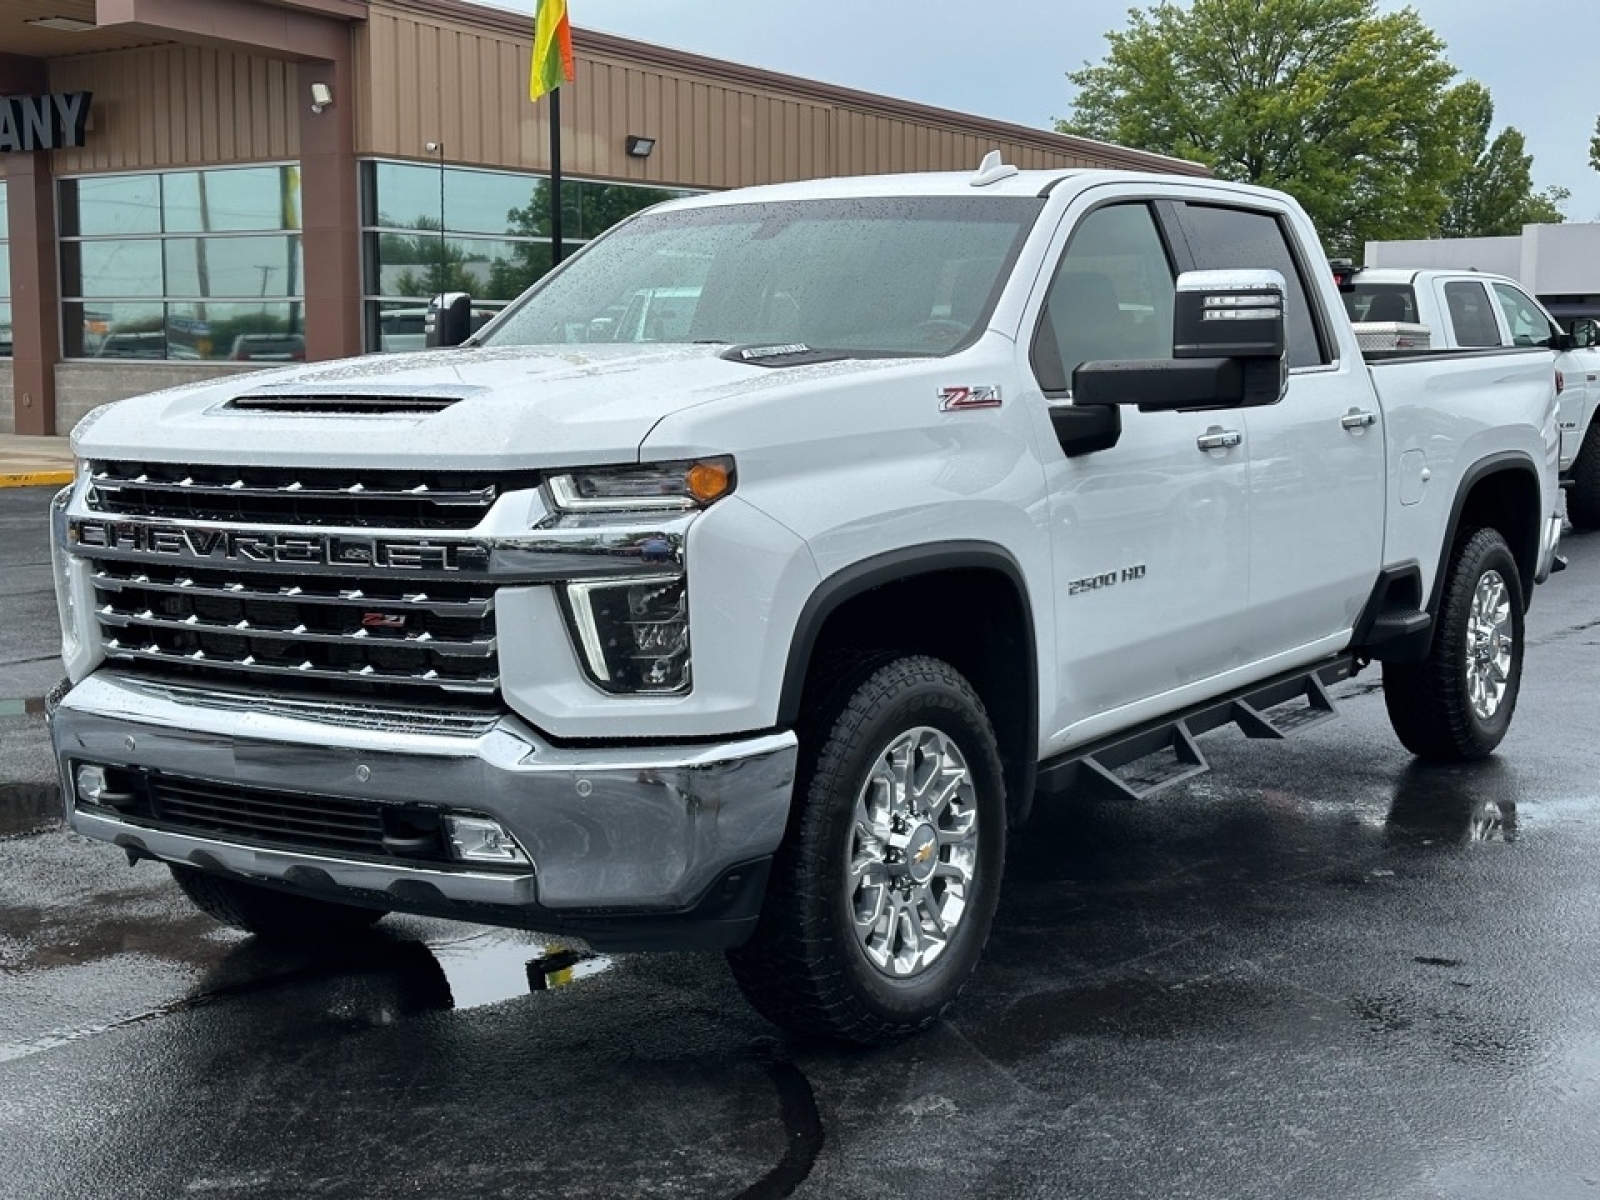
(185,265)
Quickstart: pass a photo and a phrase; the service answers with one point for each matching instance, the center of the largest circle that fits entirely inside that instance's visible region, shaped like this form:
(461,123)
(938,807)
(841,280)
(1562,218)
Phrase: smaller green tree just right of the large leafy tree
(1495,194)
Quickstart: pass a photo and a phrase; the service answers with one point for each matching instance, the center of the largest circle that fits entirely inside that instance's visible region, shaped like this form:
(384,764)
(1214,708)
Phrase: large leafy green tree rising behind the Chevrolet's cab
(1353,111)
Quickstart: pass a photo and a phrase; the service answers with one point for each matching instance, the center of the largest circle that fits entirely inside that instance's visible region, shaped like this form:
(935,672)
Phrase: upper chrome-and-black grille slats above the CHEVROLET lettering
(393,500)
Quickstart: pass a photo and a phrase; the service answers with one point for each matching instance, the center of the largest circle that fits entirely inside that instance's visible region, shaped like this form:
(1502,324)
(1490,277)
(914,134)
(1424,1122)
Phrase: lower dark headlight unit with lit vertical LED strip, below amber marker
(634,634)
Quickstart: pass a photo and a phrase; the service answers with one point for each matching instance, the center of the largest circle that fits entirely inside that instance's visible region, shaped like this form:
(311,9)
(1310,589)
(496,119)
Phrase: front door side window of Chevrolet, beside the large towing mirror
(1111,298)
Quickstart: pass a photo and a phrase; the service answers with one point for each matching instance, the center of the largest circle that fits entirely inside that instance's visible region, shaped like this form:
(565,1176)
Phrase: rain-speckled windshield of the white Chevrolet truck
(865,278)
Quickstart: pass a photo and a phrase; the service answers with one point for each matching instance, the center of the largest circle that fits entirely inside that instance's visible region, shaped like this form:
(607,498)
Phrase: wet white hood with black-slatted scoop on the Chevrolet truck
(503,409)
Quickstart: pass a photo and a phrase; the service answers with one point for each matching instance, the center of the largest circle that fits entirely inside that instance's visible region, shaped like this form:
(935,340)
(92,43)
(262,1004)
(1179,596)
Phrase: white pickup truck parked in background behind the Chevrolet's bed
(1474,311)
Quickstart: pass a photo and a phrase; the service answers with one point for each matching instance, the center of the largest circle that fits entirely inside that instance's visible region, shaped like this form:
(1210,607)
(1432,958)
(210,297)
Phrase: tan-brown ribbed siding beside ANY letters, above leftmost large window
(180,106)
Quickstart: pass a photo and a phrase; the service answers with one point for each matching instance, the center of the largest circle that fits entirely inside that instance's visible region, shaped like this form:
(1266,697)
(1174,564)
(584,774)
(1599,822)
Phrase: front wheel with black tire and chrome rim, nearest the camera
(807,969)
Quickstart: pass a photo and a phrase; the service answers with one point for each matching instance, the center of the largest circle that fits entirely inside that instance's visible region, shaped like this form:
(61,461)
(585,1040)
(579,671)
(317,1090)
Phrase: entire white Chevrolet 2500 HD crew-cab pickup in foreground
(951,492)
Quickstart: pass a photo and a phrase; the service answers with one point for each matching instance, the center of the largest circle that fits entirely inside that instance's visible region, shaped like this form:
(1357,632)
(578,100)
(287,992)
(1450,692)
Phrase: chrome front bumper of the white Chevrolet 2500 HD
(612,831)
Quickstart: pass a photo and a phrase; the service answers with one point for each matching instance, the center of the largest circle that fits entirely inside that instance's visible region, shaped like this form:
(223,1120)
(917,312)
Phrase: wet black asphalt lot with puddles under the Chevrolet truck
(1318,972)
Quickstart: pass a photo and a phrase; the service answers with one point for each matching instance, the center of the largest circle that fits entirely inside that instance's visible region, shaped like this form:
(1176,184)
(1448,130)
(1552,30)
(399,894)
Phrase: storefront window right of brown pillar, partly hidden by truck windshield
(484,233)
